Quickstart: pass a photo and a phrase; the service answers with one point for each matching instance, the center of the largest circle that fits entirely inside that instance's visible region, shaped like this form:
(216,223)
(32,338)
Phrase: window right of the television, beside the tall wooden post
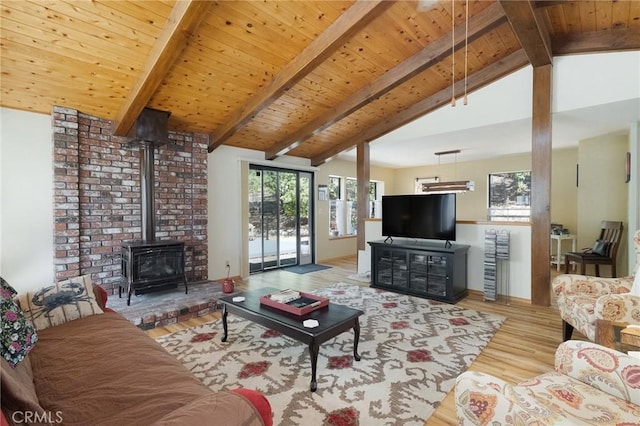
(510,196)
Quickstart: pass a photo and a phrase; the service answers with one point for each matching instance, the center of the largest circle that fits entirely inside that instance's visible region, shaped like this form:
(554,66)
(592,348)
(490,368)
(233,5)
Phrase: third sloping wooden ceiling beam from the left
(482,23)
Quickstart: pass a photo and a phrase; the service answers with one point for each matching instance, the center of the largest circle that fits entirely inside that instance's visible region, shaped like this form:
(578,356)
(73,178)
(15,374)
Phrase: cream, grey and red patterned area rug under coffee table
(412,350)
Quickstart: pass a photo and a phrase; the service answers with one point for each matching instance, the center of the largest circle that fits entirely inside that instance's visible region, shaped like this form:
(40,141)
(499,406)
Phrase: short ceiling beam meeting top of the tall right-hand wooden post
(529,26)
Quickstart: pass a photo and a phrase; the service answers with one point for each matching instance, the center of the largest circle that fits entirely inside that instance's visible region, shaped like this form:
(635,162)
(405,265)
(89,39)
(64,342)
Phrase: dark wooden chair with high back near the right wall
(610,234)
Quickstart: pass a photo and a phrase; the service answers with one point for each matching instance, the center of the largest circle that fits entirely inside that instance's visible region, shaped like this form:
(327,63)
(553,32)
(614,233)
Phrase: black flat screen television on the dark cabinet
(427,216)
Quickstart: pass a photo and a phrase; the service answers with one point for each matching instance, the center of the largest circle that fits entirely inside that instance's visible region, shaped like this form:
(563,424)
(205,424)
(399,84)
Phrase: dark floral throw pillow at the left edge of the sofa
(17,334)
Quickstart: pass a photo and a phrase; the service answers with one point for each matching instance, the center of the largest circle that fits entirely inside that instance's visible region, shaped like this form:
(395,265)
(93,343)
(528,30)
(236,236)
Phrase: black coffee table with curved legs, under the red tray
(334,319)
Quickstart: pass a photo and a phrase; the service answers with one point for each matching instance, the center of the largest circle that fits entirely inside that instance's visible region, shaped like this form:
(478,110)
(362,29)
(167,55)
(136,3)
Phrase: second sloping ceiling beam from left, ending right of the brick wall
(345,27)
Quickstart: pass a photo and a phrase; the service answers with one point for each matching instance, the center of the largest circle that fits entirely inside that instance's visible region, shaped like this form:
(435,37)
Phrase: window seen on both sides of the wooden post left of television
(343,205)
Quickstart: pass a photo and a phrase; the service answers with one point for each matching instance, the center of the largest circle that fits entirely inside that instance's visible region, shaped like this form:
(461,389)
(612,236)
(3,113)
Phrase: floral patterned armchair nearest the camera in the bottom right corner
(591,384)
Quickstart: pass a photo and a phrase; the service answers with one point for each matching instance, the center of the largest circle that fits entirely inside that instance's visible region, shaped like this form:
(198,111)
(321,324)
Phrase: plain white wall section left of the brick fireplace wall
(26,199)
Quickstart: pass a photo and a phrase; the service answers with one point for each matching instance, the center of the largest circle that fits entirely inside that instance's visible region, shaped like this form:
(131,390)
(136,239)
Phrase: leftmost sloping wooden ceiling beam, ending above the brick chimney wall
(180,26)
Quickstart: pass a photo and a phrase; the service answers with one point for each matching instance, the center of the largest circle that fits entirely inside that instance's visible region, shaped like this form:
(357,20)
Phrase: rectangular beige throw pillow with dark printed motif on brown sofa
(66,301)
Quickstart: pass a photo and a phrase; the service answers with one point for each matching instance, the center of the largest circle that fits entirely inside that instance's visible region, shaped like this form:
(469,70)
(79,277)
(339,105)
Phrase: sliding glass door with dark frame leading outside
(279,218)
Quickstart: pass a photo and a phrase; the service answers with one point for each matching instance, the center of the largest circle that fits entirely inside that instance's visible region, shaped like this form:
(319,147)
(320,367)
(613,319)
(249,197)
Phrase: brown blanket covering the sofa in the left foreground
(102,369)
